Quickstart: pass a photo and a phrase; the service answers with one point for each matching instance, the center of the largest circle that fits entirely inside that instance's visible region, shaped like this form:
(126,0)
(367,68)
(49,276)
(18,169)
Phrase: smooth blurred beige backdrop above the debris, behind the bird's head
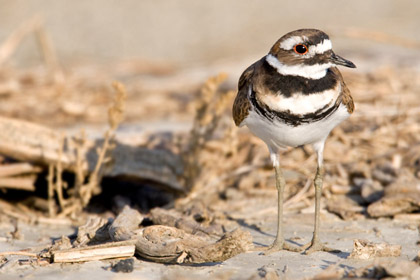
(188,32)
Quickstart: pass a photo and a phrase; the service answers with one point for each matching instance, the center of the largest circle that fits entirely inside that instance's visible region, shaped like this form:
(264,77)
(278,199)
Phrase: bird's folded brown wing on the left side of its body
(241,105)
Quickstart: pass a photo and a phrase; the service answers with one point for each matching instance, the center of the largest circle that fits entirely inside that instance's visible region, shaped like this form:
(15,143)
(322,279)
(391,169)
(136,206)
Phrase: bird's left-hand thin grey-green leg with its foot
(279,243)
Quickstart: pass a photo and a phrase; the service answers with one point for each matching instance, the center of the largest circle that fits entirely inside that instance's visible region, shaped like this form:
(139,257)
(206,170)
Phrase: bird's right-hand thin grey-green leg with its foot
(315,244)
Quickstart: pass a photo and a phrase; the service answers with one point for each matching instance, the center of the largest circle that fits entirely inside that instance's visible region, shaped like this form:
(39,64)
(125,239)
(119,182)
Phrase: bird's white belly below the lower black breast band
(279,135)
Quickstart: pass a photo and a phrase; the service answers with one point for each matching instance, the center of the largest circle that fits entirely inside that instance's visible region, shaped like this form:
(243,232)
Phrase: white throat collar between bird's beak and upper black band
(315,72)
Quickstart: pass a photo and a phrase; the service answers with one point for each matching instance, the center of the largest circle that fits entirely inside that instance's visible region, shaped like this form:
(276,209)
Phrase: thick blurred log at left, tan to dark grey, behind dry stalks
(29,142)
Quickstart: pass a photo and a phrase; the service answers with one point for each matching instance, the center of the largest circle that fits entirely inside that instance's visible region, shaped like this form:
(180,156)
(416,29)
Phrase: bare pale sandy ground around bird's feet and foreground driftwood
(250,265)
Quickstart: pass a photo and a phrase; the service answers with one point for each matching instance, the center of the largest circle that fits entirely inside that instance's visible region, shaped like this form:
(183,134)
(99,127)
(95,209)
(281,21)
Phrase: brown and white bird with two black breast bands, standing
(292,97)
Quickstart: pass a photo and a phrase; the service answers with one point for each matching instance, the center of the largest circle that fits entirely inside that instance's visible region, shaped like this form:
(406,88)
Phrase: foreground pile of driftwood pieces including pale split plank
(158,243)
